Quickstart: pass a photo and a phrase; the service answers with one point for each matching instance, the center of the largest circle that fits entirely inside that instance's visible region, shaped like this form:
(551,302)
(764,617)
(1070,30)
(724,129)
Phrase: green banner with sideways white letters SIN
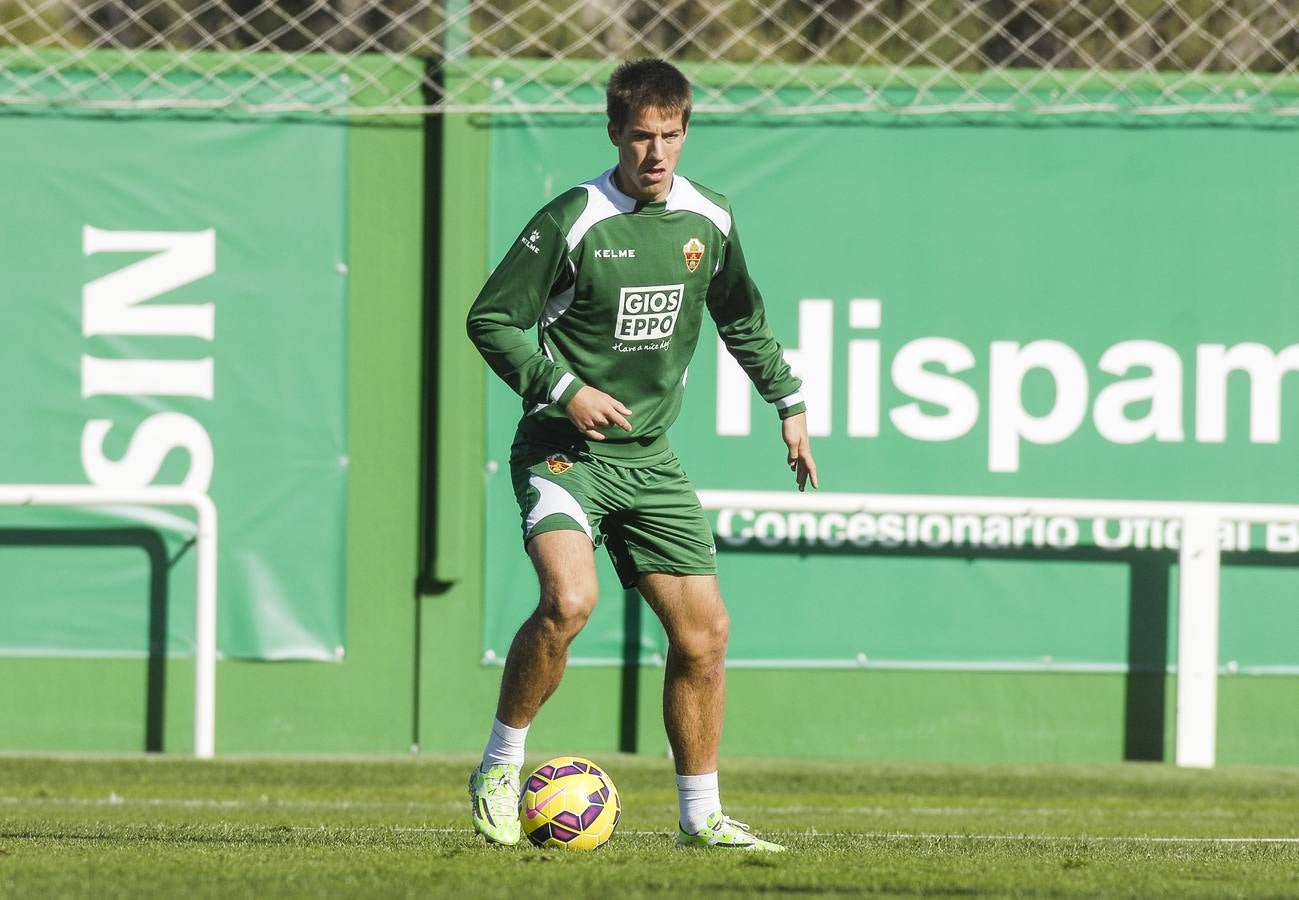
(173,312)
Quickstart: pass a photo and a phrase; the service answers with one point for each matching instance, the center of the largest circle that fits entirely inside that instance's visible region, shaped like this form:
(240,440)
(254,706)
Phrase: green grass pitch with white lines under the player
(398,828)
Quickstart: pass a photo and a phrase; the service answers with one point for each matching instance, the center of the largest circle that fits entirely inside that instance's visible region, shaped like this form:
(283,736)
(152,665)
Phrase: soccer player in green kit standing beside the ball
(618,275)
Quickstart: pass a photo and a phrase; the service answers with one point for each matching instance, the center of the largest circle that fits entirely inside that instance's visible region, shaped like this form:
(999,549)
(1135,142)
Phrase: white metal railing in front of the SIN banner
(206,599)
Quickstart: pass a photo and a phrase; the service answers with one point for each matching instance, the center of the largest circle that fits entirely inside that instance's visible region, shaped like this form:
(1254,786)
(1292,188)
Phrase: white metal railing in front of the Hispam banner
(1198,558)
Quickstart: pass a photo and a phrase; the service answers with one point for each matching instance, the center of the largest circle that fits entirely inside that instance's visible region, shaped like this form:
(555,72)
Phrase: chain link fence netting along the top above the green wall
(1236,59)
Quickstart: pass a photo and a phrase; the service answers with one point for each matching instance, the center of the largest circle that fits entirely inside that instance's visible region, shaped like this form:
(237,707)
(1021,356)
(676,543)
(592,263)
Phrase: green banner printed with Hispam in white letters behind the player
(976,311)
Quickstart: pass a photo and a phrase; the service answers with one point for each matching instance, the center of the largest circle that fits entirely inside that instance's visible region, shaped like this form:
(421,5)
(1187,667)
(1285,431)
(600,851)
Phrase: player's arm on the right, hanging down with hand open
(736,306)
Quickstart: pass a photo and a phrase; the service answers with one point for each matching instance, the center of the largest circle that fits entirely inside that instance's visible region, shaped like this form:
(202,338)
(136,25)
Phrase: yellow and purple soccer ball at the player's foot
(571,803)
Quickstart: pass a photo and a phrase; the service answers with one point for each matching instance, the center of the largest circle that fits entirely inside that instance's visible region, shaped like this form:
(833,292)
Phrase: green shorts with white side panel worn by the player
(646,515)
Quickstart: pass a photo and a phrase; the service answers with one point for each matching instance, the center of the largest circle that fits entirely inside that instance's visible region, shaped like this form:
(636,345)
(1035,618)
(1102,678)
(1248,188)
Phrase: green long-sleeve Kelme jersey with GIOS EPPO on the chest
(618,292)
